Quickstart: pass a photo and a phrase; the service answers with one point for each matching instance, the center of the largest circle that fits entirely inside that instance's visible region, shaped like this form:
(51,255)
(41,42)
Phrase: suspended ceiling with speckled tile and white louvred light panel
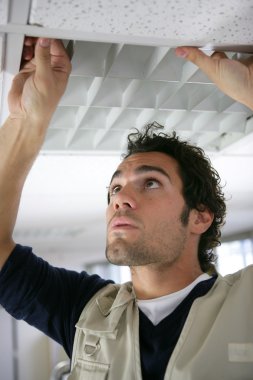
(121,84)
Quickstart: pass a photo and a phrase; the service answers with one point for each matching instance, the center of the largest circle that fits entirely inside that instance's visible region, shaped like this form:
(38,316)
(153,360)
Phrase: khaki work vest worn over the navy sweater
(216,342)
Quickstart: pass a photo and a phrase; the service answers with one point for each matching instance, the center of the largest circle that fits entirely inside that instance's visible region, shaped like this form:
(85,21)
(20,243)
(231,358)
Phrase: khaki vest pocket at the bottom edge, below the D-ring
(85,369)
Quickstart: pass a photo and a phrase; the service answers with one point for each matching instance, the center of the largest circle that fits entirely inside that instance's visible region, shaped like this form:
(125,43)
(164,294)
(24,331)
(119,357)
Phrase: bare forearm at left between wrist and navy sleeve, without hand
(20,143)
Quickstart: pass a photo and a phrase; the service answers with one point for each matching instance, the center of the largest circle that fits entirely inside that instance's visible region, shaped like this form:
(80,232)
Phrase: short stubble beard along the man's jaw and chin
(164,246)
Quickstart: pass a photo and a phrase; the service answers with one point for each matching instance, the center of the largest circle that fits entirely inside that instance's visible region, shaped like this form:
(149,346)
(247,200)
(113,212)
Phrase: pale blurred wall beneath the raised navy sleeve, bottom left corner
(26,353)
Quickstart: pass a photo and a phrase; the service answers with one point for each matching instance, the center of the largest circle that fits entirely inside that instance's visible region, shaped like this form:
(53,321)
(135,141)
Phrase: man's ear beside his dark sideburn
(201,220)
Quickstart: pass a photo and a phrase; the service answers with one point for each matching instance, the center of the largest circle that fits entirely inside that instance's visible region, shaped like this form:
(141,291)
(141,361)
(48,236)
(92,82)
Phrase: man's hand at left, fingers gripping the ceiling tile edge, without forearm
(38,87)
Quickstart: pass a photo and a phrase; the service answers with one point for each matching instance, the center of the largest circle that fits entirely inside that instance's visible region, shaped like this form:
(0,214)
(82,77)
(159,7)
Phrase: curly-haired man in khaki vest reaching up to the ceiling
(165,210)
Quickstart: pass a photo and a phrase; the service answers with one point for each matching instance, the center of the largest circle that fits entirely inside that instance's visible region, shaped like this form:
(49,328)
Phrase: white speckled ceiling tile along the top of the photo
(215,22)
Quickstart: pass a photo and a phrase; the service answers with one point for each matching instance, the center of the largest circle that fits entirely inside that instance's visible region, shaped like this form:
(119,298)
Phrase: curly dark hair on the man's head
(201,182)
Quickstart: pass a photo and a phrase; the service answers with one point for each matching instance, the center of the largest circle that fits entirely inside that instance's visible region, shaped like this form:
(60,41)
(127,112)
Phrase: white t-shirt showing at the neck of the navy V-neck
(157,309)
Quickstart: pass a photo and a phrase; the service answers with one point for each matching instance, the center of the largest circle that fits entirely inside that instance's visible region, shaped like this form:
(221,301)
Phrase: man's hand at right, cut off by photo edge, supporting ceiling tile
(234,78)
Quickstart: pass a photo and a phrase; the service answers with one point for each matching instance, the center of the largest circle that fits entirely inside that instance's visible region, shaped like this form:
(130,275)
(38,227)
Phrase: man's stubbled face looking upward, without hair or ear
(146,214)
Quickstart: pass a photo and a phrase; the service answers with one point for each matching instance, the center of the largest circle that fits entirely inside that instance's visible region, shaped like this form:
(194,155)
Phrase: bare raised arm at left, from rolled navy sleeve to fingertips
(34,95)
